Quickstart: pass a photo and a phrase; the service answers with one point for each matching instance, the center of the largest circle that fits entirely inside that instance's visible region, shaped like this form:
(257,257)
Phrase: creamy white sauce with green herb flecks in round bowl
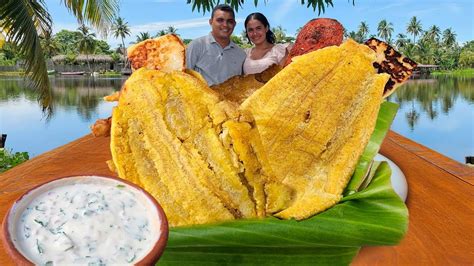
(97,222)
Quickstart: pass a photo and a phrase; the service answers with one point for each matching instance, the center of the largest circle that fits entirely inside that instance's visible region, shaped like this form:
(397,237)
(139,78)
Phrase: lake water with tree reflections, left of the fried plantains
(77,103)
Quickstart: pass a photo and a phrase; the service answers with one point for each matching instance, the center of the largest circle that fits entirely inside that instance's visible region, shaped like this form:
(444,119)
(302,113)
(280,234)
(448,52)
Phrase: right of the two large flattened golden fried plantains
(314,129)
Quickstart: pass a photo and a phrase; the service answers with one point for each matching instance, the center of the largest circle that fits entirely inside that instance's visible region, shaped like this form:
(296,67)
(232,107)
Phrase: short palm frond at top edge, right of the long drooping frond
(98,13)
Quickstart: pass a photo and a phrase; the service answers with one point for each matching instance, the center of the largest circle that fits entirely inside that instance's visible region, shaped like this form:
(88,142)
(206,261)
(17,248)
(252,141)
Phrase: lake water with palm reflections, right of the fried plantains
(438,113)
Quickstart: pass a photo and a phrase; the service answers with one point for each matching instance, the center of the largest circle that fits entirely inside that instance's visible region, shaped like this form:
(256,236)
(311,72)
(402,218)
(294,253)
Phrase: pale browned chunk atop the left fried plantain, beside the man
(166,53)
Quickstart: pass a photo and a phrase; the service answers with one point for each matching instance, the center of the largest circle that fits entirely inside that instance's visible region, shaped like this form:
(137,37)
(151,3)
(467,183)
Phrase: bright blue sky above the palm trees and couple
(154,15)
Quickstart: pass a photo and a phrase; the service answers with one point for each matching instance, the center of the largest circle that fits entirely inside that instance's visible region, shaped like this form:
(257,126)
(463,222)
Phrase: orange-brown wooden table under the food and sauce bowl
(440,198)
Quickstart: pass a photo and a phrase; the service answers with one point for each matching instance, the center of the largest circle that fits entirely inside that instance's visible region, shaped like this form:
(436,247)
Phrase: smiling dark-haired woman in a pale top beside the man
(265,52)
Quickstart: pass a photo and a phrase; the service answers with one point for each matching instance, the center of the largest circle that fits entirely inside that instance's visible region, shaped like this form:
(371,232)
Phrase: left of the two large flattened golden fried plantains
(164,138)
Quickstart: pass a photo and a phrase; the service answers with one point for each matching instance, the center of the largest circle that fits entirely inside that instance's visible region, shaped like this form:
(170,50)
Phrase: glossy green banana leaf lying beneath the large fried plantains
(372,216)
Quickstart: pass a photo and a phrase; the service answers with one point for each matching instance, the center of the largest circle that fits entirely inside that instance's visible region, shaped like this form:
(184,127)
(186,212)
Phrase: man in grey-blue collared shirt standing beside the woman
(215,56)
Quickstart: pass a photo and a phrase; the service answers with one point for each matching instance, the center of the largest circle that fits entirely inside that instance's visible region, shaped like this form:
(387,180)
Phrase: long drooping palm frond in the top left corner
(23,20)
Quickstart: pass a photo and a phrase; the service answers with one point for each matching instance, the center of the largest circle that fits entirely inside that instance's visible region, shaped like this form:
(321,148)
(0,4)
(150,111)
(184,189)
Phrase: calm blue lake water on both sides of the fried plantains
(438,113)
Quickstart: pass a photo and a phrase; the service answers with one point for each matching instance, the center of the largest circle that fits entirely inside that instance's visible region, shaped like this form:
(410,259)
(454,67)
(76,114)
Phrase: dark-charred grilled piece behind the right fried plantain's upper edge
(389,61)
